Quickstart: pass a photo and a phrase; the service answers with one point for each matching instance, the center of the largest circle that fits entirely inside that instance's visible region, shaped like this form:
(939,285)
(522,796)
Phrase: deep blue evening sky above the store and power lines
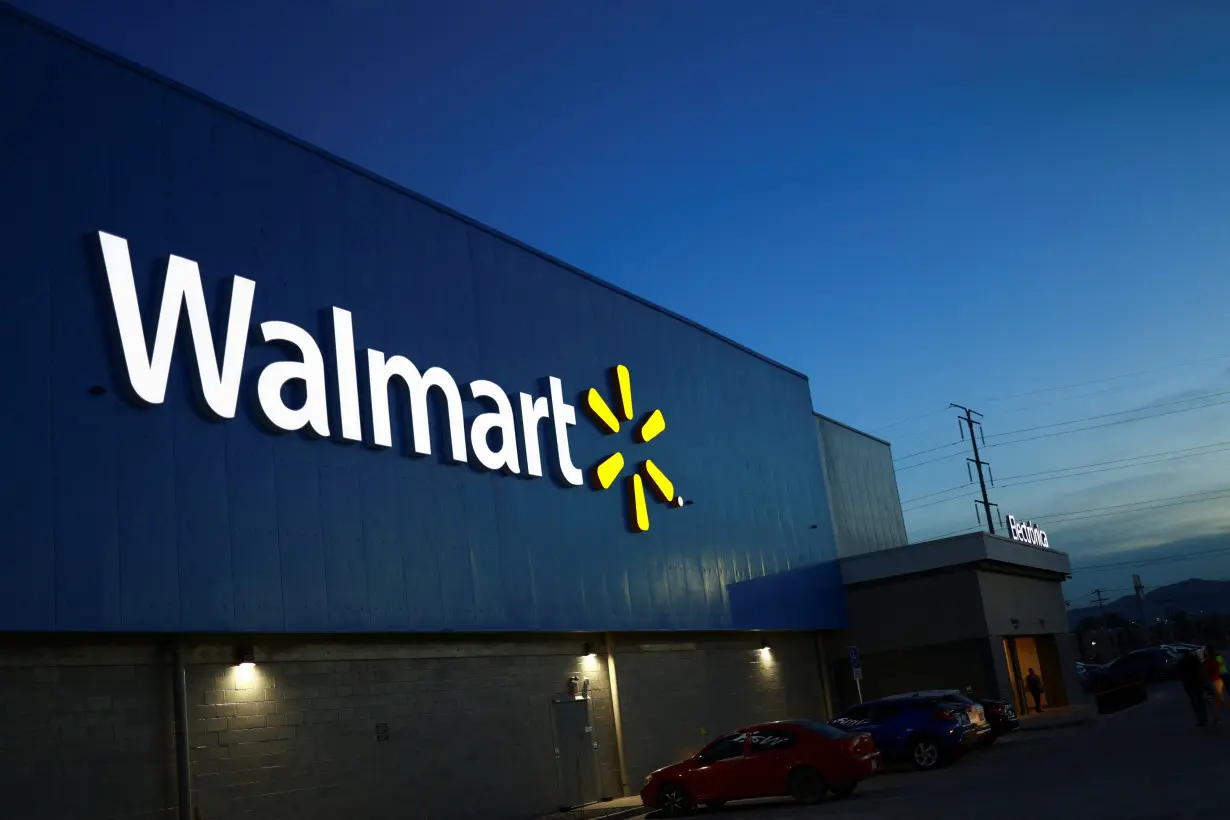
(913,203)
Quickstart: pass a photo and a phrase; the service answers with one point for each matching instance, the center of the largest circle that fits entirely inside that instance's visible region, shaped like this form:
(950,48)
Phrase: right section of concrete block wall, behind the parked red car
(680,694)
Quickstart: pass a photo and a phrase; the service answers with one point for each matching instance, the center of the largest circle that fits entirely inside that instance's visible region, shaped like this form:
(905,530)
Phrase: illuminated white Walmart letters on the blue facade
(148,376)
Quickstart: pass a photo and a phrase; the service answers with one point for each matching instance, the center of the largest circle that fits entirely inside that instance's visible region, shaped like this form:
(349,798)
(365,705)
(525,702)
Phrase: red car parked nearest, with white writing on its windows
(799,759)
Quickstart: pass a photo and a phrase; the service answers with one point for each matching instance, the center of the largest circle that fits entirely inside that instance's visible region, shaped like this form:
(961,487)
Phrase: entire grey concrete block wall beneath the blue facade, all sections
(88,728)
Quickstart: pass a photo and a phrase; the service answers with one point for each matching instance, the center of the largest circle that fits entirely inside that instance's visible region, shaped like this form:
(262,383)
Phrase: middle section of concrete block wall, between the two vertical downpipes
(469,731)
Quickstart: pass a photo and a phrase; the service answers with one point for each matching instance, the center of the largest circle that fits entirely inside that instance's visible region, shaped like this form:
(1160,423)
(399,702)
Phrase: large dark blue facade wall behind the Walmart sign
(159,519)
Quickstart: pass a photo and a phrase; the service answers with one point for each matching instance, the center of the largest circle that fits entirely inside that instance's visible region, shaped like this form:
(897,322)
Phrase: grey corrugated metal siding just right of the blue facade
(863,492)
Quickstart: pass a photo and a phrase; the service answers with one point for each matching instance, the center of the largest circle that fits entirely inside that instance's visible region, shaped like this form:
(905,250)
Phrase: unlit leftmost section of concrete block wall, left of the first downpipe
(85,733)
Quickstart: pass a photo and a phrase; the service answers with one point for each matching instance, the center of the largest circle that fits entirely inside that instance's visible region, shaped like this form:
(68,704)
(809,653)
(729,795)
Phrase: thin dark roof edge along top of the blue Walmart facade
(149,74)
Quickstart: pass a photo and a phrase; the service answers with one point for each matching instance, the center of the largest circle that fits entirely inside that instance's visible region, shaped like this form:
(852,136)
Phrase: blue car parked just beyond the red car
(924,730)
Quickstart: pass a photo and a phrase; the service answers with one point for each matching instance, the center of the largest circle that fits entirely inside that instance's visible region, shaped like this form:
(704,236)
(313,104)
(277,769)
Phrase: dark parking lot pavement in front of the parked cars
(1151,763)
